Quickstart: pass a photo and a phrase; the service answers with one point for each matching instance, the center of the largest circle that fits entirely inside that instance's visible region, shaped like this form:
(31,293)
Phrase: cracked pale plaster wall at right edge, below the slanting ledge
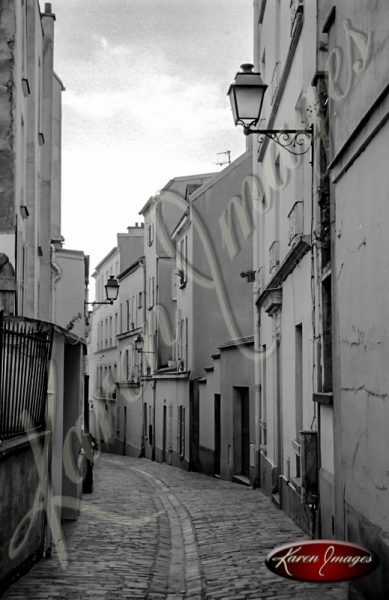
(362,261)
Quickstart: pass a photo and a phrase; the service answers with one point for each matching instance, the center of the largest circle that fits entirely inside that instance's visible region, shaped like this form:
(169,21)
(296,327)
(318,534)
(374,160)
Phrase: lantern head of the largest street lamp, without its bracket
(246,96)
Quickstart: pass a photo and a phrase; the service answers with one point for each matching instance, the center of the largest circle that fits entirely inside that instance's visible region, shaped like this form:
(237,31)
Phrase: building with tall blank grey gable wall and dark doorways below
(214,316)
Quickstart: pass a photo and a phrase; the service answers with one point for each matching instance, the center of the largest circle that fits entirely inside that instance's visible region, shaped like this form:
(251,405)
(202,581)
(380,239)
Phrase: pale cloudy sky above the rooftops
(145,101)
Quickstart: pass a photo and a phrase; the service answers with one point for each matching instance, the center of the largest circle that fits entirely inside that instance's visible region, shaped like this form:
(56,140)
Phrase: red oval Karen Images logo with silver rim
(322,561)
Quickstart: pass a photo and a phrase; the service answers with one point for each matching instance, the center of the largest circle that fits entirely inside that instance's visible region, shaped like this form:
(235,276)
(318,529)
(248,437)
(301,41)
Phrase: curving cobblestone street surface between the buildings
(155,532)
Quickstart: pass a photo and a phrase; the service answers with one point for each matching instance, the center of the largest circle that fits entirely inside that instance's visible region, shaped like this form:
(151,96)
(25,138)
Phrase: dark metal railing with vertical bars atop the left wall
(25,351)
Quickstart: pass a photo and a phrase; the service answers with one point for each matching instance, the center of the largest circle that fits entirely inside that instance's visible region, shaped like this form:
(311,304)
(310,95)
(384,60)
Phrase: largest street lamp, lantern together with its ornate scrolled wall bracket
(246,96)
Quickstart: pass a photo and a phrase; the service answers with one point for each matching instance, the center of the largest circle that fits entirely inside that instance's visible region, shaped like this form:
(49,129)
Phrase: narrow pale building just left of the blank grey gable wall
(165,375)
